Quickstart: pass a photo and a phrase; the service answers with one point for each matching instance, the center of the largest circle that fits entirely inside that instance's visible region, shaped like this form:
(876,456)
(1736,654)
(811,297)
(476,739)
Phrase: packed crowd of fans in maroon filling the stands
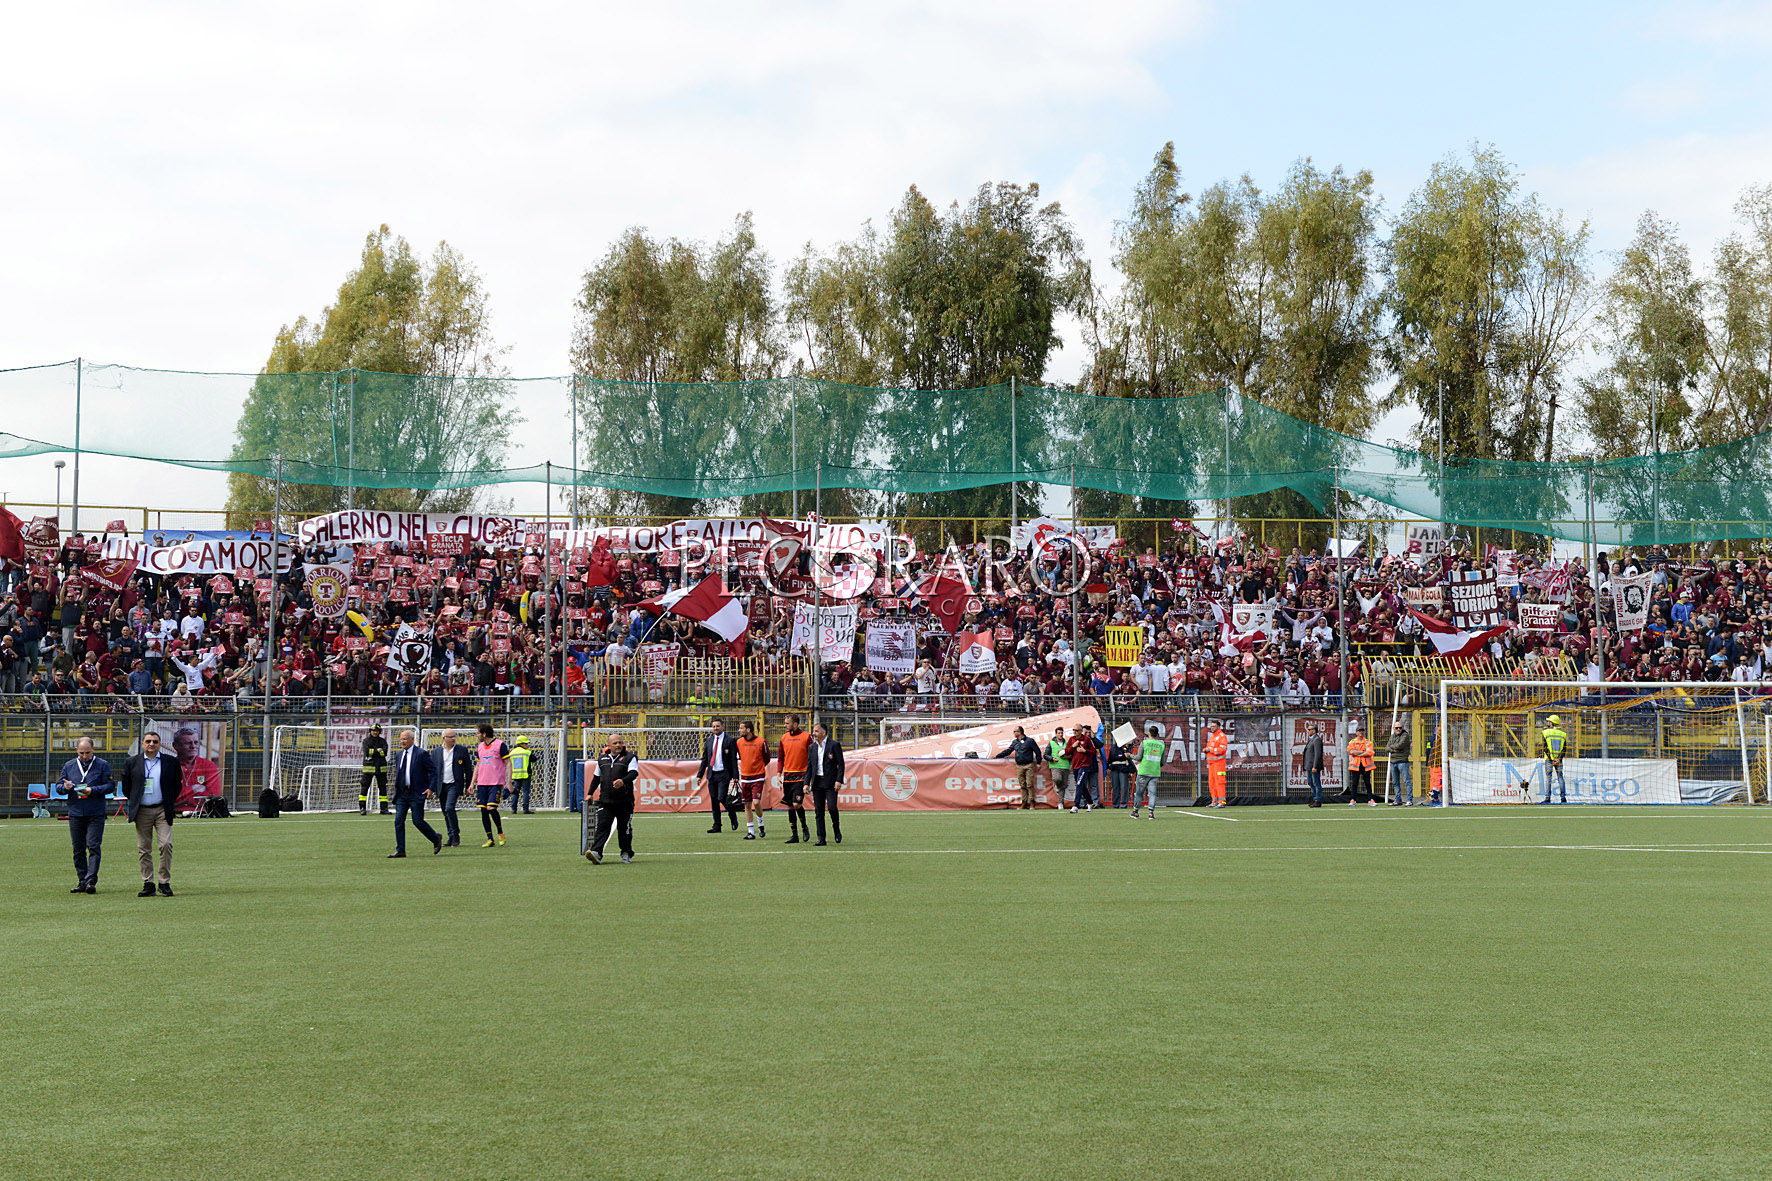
(201,639)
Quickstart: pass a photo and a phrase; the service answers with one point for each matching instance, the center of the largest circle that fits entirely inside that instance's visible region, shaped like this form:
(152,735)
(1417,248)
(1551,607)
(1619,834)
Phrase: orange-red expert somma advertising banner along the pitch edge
(871,786)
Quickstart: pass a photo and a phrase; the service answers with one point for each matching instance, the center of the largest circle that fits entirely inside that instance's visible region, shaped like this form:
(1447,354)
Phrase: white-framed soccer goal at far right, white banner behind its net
(1624,742)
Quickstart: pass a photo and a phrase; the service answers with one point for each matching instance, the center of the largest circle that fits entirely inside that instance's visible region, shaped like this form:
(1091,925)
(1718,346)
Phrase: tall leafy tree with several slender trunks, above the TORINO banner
(1486,295)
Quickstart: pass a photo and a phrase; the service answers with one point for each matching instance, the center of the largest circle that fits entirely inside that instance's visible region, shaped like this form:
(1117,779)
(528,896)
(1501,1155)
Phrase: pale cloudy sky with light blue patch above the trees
(183,178)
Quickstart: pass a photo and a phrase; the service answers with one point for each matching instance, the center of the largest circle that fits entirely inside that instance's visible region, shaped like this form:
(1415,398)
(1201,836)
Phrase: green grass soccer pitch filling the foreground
(1257,994)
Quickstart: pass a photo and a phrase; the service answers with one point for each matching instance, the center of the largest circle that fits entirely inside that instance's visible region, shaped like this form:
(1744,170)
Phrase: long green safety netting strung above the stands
(724,441)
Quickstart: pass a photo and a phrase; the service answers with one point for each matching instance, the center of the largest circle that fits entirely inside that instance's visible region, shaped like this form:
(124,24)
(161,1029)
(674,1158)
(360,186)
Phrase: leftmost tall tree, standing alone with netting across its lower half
(398,375)
